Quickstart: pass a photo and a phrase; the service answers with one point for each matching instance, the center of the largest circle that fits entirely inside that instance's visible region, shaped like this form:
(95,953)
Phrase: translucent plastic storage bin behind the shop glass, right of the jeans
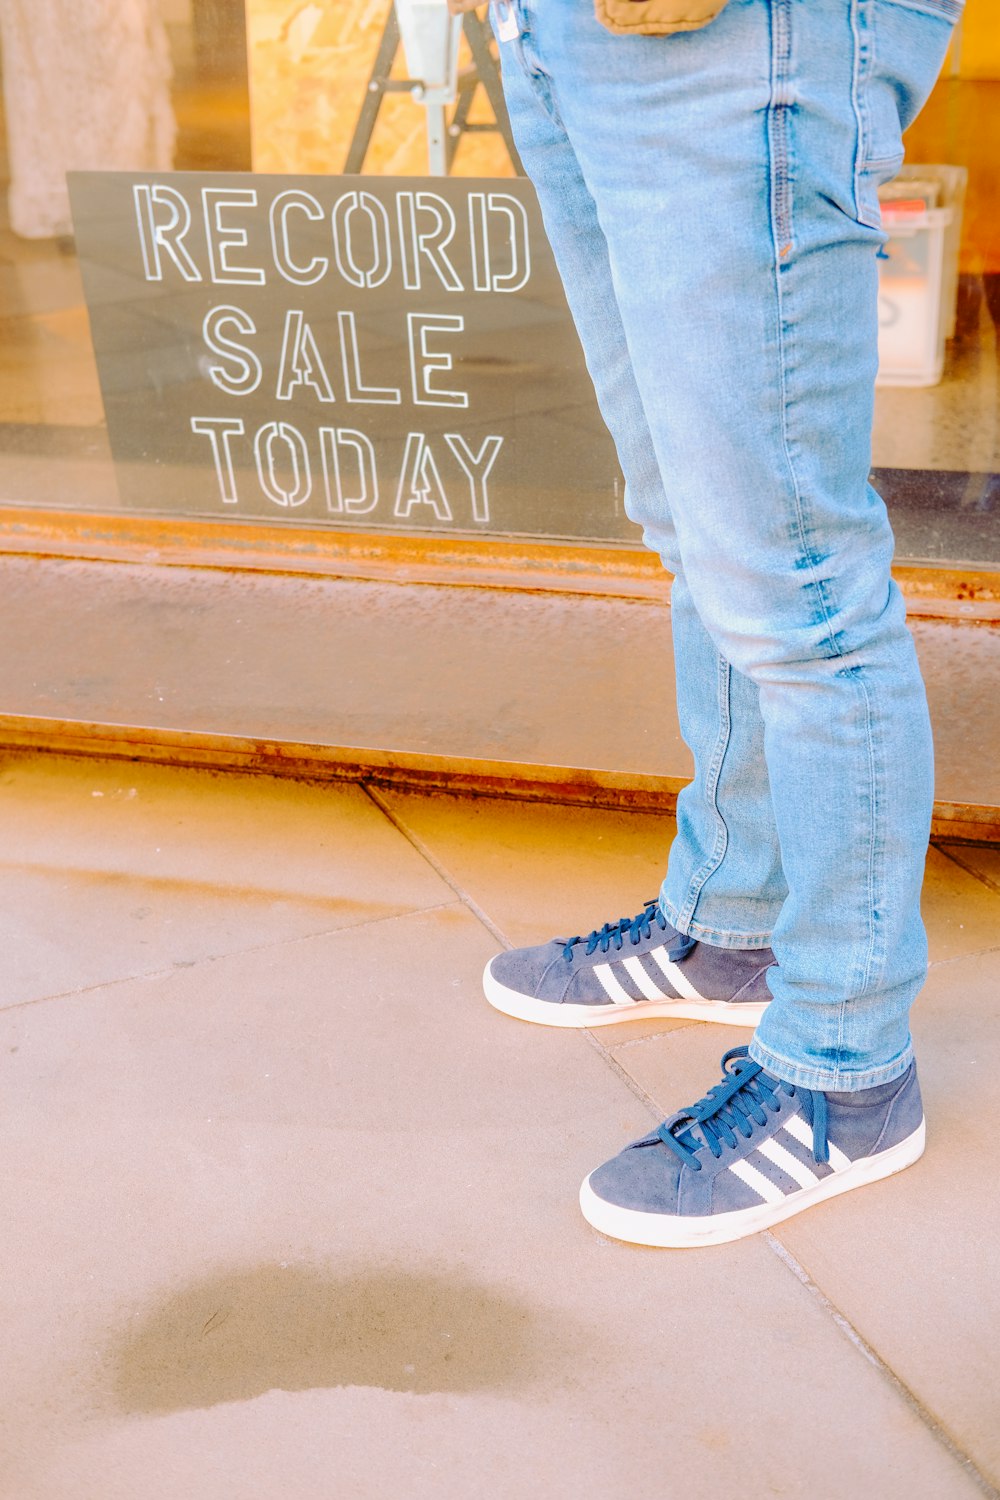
(918,272)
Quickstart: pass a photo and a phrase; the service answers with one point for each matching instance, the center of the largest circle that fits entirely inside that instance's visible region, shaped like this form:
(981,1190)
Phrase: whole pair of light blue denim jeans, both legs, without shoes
(711,200)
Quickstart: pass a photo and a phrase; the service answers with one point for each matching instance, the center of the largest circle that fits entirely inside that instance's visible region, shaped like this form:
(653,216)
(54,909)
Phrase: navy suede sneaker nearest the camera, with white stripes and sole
(755,1151)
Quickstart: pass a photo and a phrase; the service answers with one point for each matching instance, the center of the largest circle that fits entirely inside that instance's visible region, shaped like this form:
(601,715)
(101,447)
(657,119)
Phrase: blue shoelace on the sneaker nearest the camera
(744,1100)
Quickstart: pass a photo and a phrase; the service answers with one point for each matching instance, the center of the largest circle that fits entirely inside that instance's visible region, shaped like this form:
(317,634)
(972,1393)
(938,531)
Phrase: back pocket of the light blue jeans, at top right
(899,52)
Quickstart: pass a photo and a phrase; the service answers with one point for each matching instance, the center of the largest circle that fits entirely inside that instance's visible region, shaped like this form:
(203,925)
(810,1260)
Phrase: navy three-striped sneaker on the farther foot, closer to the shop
(633,968)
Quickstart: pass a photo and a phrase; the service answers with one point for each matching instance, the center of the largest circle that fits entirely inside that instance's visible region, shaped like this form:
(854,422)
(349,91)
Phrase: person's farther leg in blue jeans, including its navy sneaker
(702,950)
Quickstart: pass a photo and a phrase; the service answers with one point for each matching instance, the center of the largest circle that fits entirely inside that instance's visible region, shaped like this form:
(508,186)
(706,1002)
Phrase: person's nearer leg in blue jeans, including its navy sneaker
(735,178)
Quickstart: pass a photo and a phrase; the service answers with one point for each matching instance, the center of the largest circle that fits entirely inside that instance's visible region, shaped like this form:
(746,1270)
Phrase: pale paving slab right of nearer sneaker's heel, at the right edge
(914,1262)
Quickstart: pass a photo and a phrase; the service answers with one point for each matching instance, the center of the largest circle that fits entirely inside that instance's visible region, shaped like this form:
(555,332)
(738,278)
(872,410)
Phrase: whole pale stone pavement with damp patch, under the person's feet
(292,1213)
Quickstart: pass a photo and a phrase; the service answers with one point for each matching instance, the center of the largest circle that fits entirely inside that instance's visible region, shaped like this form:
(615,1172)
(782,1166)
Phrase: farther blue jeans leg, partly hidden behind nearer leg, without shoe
(725,881)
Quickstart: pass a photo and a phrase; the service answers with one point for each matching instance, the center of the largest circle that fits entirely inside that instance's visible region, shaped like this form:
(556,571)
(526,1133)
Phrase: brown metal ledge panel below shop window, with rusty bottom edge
(536,695)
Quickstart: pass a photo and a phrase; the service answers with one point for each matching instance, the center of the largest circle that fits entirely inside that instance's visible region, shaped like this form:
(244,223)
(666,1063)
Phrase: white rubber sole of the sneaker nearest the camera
(680,1232)
